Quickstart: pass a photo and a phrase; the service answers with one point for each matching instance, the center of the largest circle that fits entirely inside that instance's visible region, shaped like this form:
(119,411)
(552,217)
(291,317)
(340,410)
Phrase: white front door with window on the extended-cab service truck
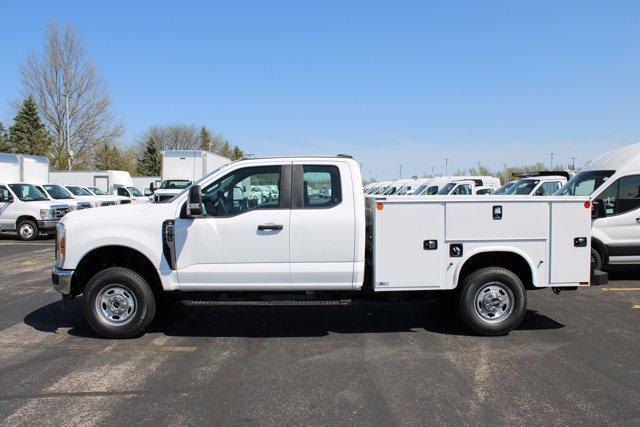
(242,240)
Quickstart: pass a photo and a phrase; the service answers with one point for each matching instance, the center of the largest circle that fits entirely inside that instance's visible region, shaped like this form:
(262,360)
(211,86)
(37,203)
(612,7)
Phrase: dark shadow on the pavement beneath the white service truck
(275,322)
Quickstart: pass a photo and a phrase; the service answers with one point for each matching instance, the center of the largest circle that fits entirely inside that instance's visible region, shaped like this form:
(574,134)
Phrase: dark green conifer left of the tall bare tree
(27,134)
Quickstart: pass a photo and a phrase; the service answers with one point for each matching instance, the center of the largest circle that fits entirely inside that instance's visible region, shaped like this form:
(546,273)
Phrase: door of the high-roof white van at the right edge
(619,221)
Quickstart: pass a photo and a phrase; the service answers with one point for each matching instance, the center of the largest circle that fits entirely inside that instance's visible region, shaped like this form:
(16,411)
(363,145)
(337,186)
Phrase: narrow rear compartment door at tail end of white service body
(570,264)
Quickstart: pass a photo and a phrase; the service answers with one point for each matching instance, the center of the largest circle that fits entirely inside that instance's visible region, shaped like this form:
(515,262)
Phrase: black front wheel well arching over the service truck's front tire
(114,256)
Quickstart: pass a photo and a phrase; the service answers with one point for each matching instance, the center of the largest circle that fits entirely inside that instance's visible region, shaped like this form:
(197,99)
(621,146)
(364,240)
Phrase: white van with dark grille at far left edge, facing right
(25,209)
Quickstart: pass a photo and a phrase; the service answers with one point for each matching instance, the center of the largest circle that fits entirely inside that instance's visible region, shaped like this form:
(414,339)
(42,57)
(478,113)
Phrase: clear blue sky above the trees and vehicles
(392,83)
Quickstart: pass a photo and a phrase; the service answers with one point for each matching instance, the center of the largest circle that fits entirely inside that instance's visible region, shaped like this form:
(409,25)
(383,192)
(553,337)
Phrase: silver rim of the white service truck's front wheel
(116,305)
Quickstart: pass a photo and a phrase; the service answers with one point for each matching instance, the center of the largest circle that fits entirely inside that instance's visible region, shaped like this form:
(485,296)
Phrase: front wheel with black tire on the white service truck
(128,286)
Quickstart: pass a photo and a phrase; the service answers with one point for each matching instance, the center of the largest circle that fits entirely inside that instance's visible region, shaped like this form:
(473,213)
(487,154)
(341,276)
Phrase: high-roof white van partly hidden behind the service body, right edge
(613,183)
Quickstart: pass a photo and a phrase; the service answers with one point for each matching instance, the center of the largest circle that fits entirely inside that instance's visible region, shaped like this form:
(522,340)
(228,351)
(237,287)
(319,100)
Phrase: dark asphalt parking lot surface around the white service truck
(574,360)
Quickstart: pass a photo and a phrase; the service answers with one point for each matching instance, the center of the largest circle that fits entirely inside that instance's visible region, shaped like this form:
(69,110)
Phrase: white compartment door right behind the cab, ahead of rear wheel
(401,259)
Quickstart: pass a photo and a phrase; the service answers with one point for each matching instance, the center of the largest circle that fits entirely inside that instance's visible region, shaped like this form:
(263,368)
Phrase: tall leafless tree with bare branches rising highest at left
(62,70)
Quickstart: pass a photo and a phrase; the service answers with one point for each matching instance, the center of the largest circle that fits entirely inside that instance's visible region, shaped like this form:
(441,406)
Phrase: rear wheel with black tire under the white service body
(503,292)
